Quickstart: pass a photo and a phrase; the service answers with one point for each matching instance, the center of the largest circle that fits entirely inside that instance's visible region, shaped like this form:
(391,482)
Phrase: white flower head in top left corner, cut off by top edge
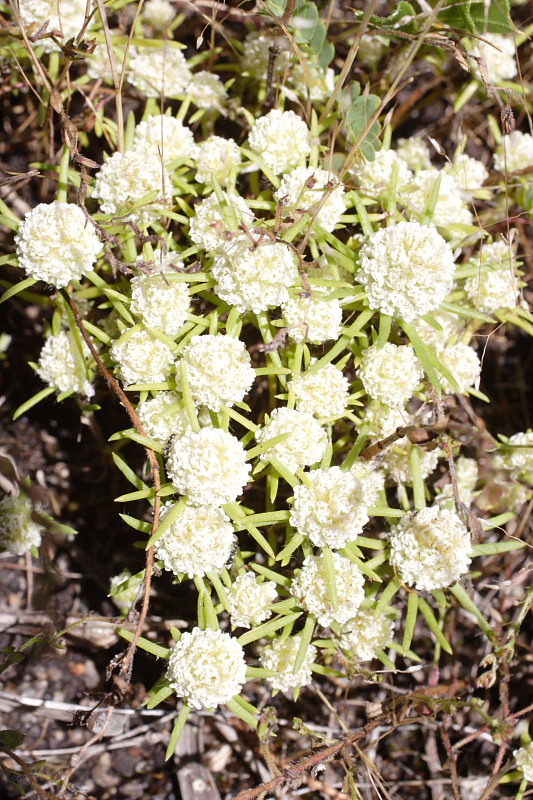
(67,17)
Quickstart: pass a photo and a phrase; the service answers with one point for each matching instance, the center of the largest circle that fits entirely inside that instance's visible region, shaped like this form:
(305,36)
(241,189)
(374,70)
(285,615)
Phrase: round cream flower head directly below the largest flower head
(390,373)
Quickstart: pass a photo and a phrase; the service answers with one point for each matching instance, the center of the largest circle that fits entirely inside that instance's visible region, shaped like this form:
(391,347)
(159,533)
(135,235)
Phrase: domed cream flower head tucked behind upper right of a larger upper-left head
(165,136)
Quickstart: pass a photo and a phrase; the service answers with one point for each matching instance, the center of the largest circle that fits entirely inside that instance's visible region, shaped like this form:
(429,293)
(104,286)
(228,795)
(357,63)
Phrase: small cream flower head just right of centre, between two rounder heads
(323,393)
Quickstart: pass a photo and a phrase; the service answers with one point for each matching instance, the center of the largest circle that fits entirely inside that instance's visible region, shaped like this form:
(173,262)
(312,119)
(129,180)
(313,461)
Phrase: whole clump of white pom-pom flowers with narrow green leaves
(282,324)
